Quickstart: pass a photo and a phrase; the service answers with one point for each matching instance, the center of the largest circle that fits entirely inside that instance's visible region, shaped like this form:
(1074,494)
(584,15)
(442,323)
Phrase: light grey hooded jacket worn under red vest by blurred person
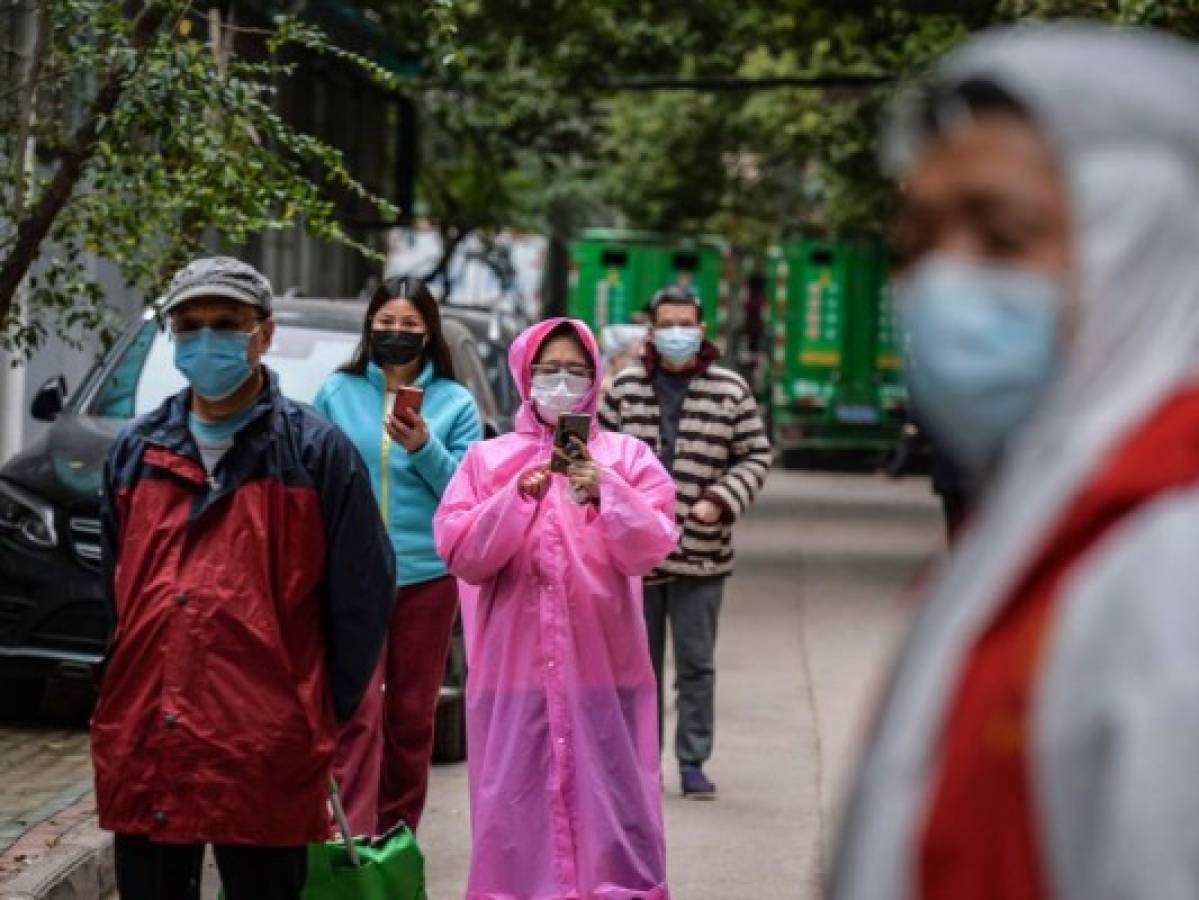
(1116,728)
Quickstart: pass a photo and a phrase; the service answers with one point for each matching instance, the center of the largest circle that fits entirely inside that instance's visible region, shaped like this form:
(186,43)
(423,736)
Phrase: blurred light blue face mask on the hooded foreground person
(981,348)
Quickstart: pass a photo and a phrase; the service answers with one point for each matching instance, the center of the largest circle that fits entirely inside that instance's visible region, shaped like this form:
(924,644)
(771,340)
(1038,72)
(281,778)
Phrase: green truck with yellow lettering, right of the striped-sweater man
(835,386)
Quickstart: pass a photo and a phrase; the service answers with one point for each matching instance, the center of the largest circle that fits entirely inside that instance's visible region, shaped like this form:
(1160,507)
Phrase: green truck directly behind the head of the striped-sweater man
(614,273)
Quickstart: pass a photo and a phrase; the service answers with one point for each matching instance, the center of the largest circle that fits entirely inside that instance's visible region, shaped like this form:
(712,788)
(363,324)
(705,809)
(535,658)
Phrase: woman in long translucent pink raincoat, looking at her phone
(562,715)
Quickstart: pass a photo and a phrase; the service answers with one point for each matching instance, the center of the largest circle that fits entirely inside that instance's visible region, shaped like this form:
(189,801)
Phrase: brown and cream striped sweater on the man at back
(722,454)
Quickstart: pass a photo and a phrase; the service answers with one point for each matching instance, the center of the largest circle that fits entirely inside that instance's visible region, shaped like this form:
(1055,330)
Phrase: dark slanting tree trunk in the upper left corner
(35,227)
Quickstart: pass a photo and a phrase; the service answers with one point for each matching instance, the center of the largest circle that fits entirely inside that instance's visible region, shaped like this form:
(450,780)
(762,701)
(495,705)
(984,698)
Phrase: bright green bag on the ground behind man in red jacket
(390,868)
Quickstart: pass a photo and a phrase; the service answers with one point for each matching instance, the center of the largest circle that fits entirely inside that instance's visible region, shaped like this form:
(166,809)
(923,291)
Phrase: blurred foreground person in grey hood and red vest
(1041,734)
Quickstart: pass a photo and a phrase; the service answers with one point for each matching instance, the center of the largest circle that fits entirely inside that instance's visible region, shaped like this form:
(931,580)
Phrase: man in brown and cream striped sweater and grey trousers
(703,422)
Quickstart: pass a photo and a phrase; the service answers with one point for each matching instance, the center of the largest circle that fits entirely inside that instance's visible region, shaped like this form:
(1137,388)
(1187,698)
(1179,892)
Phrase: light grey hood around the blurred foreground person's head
(1118,108)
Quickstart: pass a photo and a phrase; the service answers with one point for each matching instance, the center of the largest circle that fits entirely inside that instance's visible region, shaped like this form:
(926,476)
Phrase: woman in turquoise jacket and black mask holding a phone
(383,759)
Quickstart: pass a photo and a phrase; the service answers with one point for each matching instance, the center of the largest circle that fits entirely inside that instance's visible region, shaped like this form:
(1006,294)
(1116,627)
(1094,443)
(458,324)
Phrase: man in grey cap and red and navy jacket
(251,583)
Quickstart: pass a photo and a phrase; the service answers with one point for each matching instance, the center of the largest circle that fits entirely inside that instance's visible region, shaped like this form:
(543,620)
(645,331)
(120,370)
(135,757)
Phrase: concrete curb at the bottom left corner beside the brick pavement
(81,867)
